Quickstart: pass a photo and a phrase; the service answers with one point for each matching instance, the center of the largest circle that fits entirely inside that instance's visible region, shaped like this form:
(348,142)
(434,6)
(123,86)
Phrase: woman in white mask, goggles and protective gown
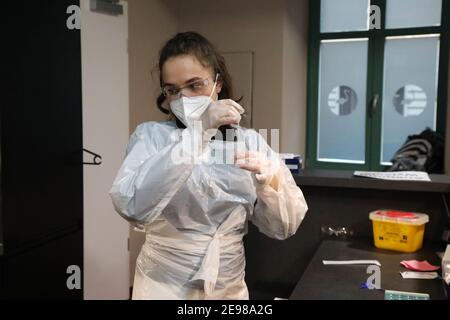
(194,207)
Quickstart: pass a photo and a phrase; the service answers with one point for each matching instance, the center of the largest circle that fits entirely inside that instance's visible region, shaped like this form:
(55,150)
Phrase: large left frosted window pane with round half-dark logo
(342,99)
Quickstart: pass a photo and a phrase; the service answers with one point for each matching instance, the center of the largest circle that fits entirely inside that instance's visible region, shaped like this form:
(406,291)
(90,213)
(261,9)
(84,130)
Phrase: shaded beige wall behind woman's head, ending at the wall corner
(239,26)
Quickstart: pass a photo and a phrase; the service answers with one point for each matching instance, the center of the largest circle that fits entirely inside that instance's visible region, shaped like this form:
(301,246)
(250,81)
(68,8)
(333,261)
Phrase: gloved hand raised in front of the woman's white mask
(221,112)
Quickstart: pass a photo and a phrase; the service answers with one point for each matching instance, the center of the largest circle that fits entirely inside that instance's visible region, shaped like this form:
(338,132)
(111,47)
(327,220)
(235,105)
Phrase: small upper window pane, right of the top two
(413,13)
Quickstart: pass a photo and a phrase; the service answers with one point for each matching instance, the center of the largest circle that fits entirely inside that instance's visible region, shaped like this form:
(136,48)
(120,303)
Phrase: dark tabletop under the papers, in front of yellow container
(331,282)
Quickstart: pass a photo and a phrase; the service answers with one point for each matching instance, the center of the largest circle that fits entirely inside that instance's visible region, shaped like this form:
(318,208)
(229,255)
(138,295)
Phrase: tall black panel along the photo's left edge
(41,153)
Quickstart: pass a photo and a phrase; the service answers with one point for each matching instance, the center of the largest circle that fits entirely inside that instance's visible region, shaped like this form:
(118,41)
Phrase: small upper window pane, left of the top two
(344,15)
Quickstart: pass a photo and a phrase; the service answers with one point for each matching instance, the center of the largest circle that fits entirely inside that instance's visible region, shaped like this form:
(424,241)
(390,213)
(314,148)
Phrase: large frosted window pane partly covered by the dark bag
(410,90)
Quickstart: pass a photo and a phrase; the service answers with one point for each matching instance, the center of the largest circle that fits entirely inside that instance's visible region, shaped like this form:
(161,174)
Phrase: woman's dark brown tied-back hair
(193,43)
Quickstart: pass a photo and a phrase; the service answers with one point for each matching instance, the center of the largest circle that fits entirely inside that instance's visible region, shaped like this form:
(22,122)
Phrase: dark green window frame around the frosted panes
(375,77)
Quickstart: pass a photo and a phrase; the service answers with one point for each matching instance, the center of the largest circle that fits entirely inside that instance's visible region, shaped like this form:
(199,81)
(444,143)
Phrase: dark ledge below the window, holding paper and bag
(345,179)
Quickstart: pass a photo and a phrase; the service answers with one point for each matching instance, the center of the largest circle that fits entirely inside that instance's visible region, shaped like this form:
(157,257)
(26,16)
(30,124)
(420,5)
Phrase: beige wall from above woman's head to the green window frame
(276,32)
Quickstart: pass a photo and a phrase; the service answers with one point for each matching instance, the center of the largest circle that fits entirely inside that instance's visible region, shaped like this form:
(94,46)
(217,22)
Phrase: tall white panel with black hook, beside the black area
(106,132)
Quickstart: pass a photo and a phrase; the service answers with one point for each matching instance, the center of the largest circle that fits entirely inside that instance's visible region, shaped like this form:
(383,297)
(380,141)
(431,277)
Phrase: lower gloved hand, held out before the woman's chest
(265,169)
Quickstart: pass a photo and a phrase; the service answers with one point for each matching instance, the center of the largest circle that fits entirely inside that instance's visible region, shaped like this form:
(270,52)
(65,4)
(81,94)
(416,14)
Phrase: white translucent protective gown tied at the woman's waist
(195,215)
